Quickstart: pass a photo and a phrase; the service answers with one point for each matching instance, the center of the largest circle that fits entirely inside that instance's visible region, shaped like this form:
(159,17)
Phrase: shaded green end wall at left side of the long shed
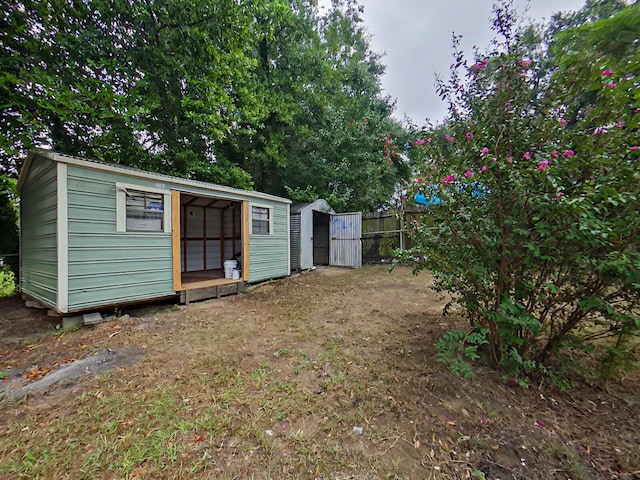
(38,250)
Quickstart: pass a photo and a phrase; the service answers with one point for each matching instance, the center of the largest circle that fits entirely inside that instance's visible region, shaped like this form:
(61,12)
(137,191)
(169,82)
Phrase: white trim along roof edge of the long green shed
(134,172)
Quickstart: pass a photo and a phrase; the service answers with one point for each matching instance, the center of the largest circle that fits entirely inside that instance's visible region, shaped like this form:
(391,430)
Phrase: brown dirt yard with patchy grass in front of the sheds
(329,374)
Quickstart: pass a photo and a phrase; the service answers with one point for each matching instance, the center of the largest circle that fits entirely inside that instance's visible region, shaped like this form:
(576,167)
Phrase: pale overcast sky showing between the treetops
(416,37)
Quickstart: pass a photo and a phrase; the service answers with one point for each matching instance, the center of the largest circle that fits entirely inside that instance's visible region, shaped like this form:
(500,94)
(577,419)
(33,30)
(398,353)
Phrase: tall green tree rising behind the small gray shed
(325,124)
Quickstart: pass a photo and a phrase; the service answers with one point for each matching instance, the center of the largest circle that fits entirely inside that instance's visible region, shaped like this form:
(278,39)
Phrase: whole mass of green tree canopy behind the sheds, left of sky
(269,94)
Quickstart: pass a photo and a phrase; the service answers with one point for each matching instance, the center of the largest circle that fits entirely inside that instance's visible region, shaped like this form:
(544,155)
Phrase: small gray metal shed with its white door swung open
(319,236)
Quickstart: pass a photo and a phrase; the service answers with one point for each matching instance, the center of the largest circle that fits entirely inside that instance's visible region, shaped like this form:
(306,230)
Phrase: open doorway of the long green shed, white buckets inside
(211,231)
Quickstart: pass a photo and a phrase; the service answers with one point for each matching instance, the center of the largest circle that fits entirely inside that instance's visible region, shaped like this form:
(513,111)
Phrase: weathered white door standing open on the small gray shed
(345,248)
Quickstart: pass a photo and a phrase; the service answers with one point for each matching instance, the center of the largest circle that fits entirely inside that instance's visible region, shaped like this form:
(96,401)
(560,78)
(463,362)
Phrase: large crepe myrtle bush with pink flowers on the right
(546,256)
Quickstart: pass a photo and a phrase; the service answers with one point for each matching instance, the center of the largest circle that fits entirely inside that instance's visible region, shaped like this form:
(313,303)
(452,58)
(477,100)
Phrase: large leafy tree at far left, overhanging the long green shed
(150,84)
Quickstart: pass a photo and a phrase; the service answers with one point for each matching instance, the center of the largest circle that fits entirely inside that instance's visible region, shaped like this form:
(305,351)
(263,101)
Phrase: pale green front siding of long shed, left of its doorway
(106,266)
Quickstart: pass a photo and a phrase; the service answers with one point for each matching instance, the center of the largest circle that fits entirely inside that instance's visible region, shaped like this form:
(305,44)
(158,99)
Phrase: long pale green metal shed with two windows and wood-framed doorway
(96,235)
